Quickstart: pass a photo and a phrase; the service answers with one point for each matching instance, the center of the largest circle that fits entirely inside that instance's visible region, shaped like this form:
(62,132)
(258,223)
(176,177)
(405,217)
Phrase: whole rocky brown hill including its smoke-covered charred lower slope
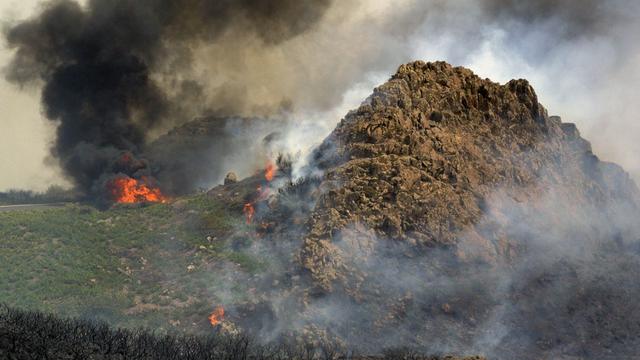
(453,214)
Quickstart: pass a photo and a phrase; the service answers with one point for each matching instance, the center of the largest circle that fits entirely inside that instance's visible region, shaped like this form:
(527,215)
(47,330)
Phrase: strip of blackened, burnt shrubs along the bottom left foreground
(35,335)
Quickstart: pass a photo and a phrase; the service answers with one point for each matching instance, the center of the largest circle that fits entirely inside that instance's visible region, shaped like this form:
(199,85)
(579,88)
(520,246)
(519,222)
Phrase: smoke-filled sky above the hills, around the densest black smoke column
(315,61)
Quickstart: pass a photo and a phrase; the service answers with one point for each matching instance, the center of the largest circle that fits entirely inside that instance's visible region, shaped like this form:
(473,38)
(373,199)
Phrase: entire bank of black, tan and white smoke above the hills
(303,61)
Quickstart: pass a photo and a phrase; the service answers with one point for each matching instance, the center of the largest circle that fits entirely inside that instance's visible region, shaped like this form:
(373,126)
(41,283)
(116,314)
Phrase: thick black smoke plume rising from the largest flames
(101,67)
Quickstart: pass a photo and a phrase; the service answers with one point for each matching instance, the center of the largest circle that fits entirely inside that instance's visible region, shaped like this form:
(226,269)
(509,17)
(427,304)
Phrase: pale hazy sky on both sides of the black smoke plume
(582,57)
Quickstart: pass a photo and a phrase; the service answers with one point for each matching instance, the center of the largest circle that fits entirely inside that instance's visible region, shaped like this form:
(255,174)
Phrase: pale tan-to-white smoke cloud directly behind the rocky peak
(552,44)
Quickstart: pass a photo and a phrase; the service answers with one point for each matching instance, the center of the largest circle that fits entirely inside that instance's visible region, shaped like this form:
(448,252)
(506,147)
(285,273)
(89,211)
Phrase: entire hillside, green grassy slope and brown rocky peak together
(446,214)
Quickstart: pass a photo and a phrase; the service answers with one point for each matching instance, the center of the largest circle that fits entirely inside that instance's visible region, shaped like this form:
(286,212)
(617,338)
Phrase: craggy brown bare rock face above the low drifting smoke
(421,159)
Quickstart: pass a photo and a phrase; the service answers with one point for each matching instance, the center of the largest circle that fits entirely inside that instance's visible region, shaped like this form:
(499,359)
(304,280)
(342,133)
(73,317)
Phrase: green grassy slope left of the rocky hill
(126,265)
